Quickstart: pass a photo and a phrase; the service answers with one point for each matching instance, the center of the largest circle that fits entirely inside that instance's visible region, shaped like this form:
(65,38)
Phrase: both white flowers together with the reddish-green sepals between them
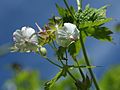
(27,39)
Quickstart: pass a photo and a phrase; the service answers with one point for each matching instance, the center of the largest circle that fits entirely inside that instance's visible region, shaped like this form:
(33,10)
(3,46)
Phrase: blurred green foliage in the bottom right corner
(111,79)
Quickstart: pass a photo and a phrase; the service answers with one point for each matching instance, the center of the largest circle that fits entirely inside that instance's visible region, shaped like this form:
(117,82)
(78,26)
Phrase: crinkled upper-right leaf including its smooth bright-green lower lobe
(91,16)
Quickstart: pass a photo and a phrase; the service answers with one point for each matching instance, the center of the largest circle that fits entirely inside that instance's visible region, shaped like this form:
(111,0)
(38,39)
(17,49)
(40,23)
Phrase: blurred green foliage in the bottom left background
(26,80)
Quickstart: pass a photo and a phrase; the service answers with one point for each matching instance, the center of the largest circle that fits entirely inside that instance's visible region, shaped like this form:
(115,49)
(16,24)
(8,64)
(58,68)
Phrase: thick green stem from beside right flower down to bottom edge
(87,62)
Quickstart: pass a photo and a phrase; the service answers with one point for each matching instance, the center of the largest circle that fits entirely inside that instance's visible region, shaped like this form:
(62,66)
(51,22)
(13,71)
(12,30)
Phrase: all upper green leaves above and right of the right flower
(89,20)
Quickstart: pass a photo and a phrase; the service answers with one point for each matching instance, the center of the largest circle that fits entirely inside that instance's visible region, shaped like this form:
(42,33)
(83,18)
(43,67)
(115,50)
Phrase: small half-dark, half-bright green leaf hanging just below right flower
(74,48)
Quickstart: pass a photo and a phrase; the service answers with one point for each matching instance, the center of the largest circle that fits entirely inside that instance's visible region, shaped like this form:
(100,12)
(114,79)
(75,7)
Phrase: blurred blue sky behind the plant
(15,14)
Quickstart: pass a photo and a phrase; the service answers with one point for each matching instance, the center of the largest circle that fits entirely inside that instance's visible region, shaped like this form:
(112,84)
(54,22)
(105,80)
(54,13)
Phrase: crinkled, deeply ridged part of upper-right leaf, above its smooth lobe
(91,14)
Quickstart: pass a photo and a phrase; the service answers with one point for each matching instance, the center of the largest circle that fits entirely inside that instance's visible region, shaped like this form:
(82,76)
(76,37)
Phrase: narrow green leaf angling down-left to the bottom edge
(50,83)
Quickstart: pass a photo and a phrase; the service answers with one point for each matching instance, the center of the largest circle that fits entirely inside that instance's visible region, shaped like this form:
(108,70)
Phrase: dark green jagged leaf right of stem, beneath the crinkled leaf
(100,33)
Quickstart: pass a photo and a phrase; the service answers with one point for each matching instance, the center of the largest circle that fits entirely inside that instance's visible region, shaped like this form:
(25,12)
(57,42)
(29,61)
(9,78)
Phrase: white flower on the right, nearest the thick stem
(67,34)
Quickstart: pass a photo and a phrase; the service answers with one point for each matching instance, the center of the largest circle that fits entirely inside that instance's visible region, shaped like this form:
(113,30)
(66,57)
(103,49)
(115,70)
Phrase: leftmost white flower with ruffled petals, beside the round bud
(25,40)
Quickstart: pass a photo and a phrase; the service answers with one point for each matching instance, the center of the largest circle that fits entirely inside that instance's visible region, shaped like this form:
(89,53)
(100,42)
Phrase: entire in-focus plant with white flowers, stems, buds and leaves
(63,34)
